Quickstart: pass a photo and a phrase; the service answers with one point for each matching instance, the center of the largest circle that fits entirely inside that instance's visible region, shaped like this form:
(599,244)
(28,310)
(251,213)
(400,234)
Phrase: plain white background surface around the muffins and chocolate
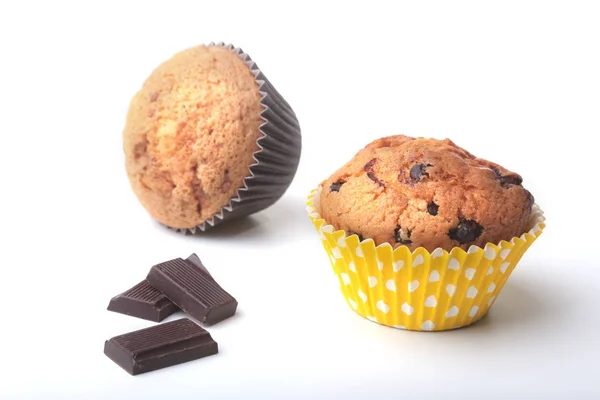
(517,82)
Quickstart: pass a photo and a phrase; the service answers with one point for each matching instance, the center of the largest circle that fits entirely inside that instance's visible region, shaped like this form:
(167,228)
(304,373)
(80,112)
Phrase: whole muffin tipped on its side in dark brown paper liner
(200,142)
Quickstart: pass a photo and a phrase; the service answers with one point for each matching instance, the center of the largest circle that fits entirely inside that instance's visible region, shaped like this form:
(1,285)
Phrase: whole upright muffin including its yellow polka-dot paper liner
(421,234)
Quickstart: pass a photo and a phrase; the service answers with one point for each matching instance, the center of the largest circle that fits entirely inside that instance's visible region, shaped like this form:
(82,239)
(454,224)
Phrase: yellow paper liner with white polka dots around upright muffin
(420,291)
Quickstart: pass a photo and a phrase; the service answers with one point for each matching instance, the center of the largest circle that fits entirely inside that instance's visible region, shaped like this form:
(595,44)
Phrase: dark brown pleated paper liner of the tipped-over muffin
(276,160)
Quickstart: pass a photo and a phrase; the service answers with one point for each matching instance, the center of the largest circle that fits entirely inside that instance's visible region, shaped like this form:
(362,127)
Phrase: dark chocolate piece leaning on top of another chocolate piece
(192,290)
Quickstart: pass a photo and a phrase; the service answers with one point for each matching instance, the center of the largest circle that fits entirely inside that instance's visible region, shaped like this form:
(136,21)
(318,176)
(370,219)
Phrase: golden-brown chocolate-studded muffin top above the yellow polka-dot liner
(427,193)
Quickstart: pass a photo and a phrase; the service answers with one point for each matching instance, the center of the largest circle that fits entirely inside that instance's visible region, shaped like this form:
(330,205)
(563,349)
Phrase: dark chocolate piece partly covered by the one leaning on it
(143,301)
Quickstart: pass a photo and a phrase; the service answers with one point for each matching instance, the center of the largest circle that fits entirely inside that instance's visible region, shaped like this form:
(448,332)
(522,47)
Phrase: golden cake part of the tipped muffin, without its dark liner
(191,133)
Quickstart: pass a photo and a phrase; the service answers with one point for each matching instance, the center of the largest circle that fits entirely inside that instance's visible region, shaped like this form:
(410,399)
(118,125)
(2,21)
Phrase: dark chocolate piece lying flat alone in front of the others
(160,346)
